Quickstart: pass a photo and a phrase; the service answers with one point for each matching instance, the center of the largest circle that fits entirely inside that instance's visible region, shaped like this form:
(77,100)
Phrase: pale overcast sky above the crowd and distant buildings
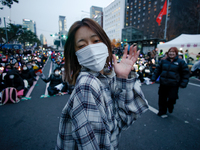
(46,13)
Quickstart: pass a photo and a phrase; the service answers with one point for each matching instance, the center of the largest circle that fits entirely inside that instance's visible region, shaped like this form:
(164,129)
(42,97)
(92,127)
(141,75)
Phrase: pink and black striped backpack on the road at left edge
(9,95)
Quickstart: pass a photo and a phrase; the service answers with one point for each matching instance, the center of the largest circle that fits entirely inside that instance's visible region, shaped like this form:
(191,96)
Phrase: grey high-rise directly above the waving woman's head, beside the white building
(96,13)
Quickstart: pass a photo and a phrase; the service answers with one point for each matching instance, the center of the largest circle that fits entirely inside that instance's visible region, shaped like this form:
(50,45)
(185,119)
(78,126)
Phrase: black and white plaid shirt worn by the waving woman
(98,109)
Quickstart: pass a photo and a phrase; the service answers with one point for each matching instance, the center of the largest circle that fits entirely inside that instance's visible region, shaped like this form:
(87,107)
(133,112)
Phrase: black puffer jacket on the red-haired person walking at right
(175,73)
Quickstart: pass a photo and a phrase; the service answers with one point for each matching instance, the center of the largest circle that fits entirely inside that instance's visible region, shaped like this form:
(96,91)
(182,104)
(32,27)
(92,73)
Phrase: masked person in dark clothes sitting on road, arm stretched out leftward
(54,79)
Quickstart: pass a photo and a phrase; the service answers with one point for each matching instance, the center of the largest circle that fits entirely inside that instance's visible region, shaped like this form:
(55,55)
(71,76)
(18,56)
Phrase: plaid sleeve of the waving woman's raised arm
(130,102)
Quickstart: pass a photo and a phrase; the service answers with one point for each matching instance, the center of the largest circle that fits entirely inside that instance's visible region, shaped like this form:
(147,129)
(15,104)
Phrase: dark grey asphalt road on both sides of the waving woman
(33,124)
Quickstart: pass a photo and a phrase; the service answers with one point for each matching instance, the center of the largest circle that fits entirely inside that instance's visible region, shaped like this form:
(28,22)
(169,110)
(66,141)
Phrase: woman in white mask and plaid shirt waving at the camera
(102,102)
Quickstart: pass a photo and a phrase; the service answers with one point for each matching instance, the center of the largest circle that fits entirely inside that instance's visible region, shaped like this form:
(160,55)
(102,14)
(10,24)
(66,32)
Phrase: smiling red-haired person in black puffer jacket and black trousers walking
(174,73)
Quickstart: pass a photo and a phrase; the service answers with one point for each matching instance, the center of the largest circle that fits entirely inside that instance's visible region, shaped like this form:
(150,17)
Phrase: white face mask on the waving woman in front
(93,56)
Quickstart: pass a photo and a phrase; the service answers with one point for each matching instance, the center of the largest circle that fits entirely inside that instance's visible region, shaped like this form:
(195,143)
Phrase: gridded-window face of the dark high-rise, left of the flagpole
(142,15)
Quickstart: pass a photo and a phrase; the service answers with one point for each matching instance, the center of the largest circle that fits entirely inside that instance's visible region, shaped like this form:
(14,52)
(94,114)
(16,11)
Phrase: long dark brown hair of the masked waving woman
(72,66)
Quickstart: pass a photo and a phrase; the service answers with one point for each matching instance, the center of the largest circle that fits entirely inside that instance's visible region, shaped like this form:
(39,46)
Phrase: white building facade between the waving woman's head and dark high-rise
(113,22)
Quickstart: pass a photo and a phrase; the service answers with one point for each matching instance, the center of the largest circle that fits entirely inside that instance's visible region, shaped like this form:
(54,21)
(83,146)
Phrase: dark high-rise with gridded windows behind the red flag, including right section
(142,14)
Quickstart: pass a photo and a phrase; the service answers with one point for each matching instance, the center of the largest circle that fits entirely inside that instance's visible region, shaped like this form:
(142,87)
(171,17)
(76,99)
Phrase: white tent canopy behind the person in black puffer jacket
(190,42)
